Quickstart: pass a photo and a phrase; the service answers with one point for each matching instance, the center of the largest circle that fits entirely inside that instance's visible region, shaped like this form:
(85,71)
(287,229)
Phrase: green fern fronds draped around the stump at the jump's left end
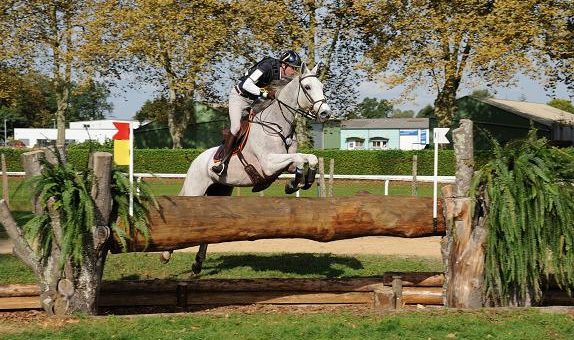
(70,193)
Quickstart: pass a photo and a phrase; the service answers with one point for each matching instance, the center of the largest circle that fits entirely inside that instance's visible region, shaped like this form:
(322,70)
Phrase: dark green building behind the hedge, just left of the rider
(204,133)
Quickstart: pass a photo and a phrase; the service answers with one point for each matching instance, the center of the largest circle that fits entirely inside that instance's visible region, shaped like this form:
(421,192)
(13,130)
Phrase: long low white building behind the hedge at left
(78,132)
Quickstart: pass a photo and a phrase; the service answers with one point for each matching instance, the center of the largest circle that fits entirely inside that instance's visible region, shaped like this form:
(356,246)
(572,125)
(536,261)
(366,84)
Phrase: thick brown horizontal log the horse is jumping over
(189,221)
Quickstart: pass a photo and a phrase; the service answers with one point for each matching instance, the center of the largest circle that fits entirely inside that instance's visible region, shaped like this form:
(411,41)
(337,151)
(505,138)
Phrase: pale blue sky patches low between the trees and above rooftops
(128,103)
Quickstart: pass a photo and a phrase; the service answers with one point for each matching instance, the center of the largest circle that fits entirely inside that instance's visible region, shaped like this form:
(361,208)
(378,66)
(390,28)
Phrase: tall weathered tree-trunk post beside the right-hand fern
(465,248)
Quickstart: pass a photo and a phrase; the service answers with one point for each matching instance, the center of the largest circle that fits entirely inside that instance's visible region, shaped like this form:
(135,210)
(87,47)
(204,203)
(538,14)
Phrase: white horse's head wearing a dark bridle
(311,98)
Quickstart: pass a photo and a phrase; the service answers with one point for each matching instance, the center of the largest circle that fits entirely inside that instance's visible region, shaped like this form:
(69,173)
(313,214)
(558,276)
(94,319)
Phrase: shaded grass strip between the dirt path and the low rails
(142,266)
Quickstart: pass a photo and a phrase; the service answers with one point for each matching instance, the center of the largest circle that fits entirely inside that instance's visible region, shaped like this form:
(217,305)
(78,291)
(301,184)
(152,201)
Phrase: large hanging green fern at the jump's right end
(528,188)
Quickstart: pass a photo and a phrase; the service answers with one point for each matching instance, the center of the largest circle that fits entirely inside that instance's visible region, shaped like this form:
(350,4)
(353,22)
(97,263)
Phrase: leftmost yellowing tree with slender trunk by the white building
(55,38)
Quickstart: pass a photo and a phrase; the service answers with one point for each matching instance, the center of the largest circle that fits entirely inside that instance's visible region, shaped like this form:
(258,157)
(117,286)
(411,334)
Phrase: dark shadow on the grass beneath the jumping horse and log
(324,265)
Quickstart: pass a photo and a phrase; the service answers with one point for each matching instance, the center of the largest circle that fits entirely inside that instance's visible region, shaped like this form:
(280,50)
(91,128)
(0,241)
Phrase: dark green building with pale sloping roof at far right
(506,120)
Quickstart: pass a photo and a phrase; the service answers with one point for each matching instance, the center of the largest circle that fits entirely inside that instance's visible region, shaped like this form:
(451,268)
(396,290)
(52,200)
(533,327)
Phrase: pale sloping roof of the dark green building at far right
(541,113)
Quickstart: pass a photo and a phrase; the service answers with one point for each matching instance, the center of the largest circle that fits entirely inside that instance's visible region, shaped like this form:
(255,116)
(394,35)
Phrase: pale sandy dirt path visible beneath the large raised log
(378,245)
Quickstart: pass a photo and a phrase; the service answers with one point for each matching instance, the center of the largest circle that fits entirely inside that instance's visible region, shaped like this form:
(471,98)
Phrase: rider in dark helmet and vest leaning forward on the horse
(251,87)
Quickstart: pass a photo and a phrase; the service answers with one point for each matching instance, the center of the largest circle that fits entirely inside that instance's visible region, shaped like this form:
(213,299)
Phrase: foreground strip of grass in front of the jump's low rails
(441,324)
